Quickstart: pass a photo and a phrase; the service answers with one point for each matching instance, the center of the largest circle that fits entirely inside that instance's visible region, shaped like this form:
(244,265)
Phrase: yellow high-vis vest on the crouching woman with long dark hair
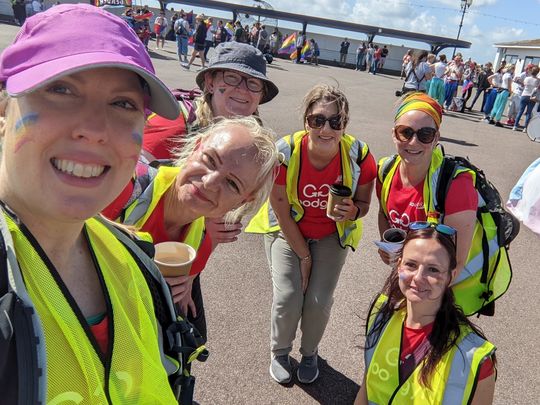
(452,382)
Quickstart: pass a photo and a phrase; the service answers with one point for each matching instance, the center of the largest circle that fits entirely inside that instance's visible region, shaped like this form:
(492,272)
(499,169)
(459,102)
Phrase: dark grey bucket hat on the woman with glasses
(243,58)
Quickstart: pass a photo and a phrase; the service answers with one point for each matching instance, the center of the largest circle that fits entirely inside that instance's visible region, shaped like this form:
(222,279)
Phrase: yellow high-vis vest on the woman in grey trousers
(350,232)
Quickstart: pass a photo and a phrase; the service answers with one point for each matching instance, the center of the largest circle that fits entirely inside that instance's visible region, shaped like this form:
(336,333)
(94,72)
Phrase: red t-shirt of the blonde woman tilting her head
(155,226)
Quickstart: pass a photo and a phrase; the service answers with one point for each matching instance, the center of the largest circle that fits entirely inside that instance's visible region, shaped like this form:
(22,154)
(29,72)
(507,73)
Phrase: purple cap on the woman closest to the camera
(71,38)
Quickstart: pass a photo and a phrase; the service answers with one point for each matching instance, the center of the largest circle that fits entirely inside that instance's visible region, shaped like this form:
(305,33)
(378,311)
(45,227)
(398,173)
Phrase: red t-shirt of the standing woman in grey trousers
(313,188)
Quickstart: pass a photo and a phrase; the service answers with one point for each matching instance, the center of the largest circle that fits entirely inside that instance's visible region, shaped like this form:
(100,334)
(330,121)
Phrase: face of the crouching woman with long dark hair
(424,272)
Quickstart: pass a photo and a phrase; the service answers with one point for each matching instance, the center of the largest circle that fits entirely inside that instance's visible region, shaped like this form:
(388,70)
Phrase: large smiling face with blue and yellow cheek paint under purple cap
(71,146)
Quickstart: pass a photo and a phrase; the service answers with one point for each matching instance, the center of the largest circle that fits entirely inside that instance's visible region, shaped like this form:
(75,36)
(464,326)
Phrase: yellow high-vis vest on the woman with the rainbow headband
(468,289)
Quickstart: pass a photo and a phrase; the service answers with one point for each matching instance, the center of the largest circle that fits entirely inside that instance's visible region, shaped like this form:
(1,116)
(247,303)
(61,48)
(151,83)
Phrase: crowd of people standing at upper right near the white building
(451,83)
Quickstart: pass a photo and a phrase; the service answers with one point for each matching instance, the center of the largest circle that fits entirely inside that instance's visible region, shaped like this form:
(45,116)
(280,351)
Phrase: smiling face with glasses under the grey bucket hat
(230,101)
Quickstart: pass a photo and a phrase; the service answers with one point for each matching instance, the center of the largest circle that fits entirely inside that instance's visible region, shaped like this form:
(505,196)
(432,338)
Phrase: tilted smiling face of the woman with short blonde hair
(220,175)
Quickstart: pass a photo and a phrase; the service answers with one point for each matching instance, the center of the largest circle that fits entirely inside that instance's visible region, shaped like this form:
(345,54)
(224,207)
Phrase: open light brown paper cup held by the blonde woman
(174,258)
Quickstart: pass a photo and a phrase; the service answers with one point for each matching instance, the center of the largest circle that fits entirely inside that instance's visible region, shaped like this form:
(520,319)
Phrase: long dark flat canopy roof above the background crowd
(372,31)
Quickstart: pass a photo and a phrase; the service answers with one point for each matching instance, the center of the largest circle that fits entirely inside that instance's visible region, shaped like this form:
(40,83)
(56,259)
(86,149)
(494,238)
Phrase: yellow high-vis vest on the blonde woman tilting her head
(142,208)
